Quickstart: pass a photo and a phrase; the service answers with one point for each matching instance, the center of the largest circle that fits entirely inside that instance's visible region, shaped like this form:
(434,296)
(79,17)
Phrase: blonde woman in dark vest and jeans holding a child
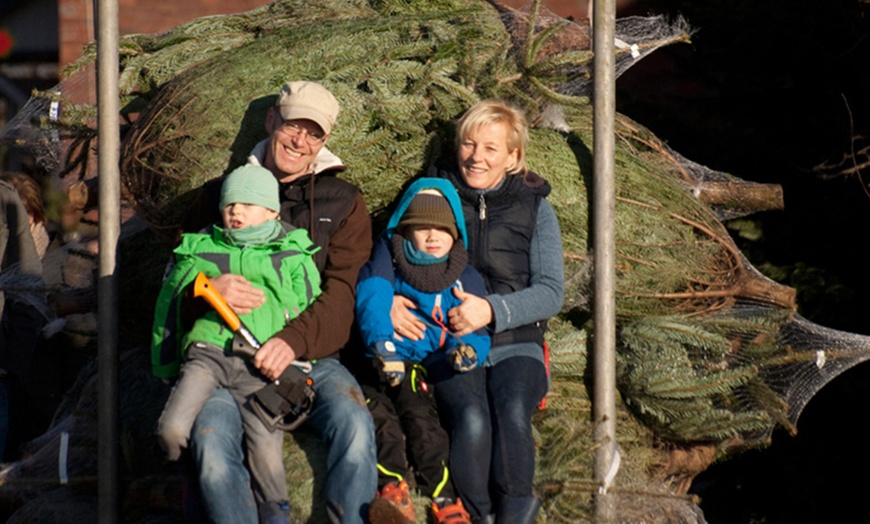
(515,243)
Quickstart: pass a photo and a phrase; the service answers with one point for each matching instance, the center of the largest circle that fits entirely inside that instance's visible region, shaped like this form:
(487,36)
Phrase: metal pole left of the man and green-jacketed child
(109,219)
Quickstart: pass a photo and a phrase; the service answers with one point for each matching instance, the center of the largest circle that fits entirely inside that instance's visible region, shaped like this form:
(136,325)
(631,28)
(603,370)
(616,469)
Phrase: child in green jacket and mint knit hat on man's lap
(273,256)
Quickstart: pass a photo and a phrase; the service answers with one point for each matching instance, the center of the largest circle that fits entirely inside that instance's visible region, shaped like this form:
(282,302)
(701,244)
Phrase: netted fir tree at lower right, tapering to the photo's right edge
(733,375)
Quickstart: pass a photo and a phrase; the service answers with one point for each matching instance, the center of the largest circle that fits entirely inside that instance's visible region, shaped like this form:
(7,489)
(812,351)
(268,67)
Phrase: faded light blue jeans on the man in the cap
(340,417)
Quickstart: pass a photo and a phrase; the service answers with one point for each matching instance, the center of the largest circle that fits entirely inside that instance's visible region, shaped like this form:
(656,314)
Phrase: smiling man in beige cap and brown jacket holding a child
(335,215)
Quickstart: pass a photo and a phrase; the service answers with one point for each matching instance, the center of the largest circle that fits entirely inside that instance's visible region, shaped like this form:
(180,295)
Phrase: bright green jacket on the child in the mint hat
(283,268)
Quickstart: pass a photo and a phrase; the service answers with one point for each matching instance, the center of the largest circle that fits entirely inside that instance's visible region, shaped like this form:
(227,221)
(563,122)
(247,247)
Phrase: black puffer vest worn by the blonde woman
(500,224)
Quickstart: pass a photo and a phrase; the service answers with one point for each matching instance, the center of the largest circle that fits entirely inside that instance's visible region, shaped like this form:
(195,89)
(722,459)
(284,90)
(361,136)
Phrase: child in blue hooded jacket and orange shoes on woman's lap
(422,256)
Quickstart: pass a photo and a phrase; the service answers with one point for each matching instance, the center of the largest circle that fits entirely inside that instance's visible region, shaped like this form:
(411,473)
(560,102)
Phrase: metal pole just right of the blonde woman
(604,336)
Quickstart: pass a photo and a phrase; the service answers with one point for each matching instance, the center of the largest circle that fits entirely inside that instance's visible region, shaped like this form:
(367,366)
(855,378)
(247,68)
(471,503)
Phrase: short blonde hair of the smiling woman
(487,112)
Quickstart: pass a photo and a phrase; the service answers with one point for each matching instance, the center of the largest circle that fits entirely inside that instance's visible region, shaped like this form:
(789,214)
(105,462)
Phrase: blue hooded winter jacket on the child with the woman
(379,281)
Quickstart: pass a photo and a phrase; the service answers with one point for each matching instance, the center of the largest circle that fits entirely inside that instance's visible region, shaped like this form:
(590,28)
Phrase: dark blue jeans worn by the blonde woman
(492,449)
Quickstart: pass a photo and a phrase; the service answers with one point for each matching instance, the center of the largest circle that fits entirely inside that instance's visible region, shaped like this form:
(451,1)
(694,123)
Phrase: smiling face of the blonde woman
(485,157)
